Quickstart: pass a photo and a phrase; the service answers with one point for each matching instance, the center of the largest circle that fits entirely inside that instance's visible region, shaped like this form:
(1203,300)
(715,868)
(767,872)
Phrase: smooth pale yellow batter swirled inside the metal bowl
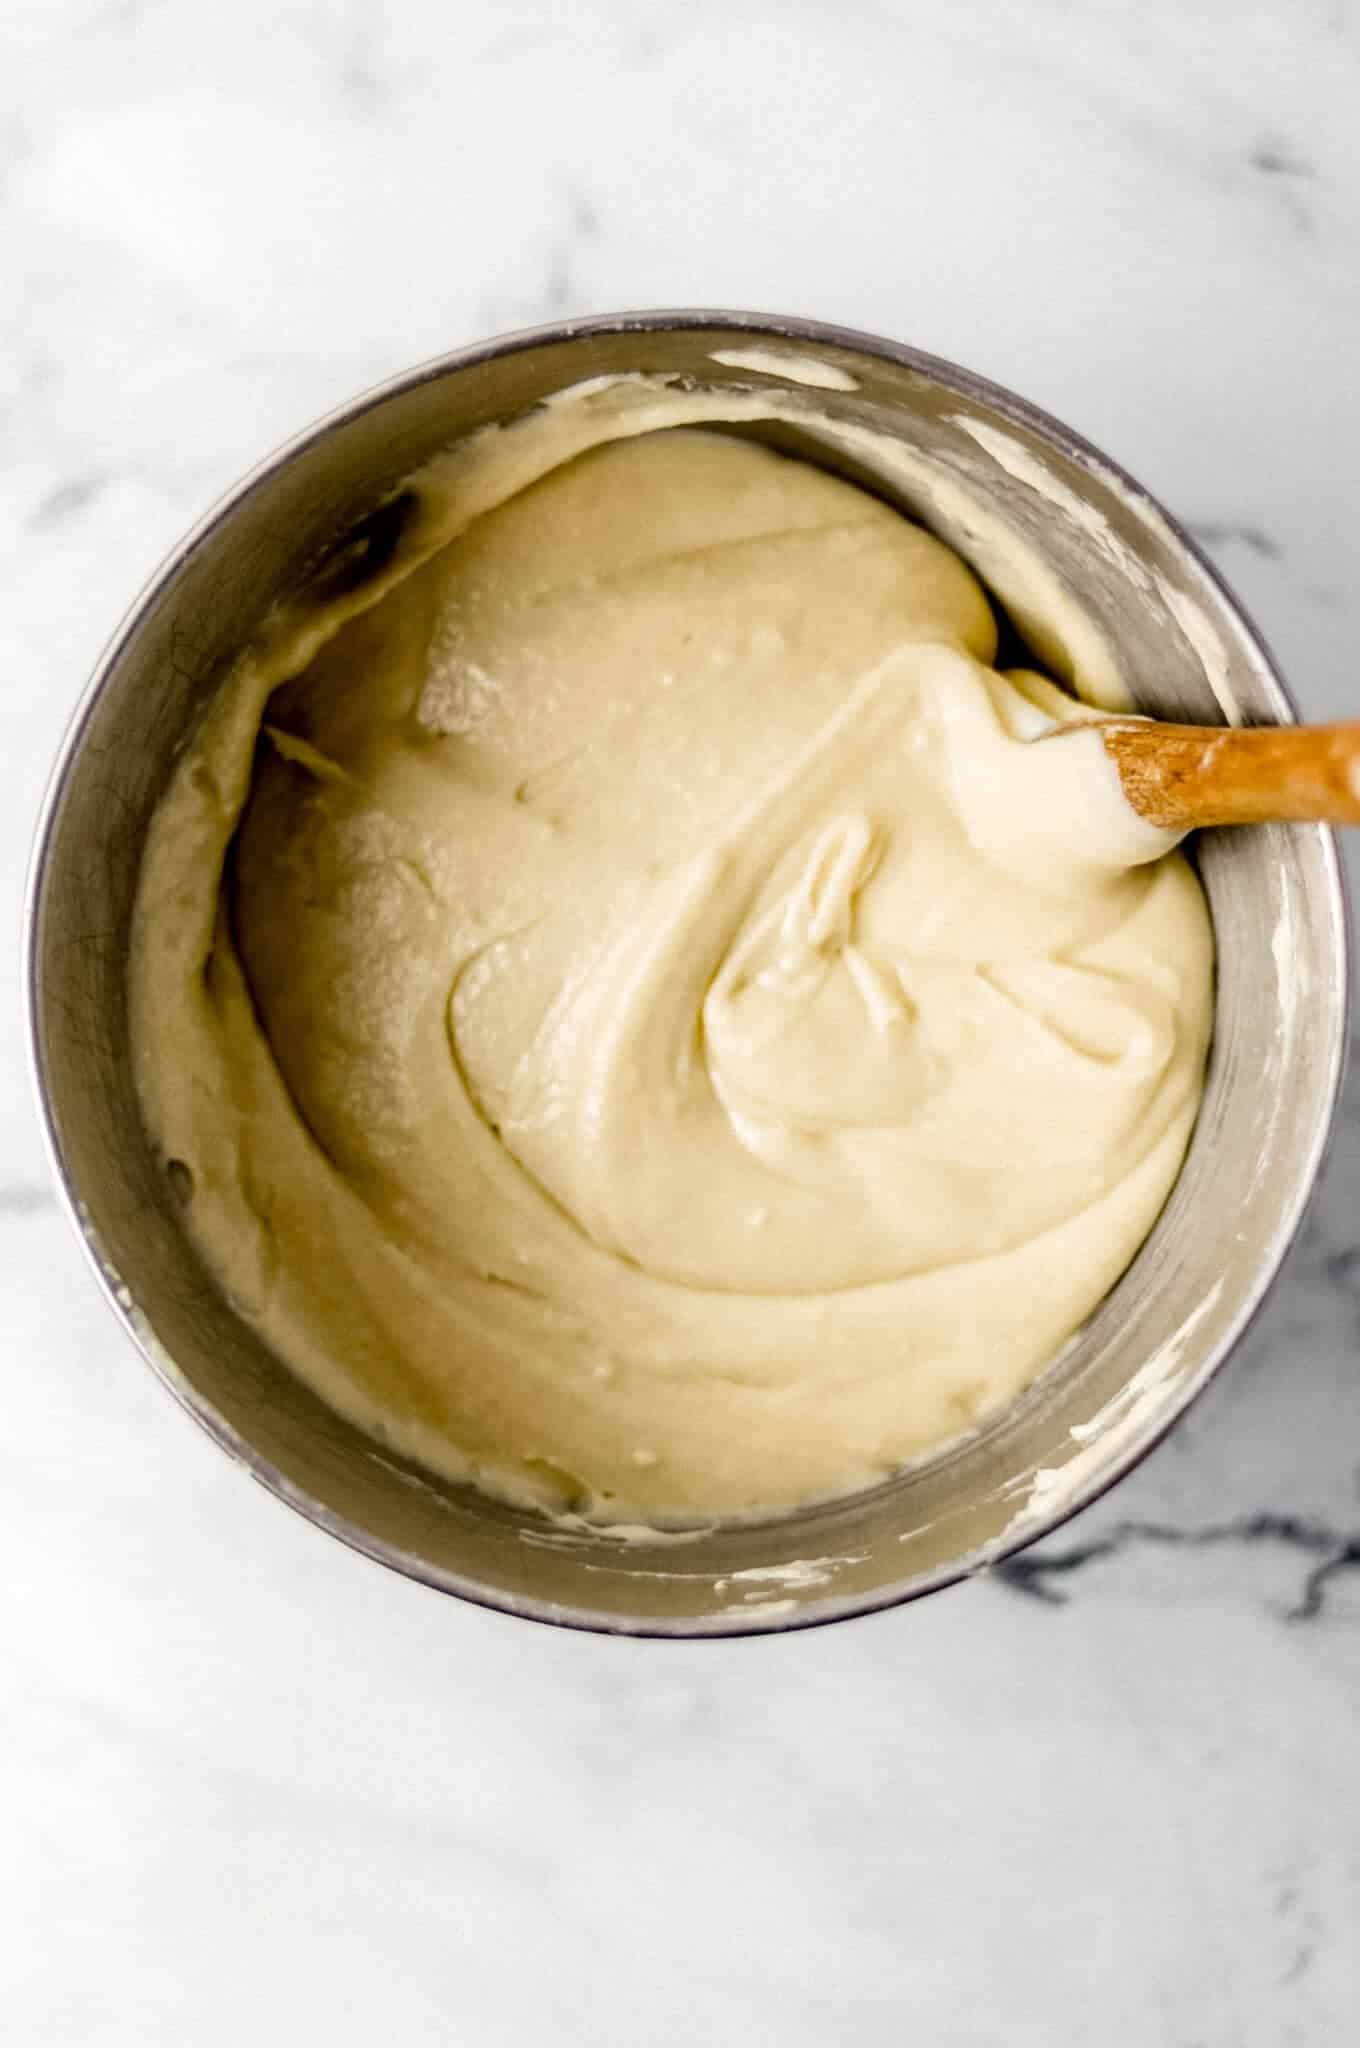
(646,1019)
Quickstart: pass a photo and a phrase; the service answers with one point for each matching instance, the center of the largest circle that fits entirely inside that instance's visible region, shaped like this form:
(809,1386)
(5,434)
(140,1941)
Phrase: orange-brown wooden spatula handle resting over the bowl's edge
(1209,775)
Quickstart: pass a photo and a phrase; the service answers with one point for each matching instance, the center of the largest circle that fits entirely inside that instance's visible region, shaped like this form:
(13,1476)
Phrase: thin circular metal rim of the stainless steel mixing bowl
(722,1625)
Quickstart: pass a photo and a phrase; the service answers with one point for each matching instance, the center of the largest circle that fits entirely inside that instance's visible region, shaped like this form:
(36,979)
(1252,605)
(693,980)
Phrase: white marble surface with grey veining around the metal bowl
(257,1789)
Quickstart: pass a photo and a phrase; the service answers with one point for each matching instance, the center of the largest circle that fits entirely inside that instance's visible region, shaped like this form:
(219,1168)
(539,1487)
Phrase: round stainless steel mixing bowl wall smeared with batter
(1173,1320)
